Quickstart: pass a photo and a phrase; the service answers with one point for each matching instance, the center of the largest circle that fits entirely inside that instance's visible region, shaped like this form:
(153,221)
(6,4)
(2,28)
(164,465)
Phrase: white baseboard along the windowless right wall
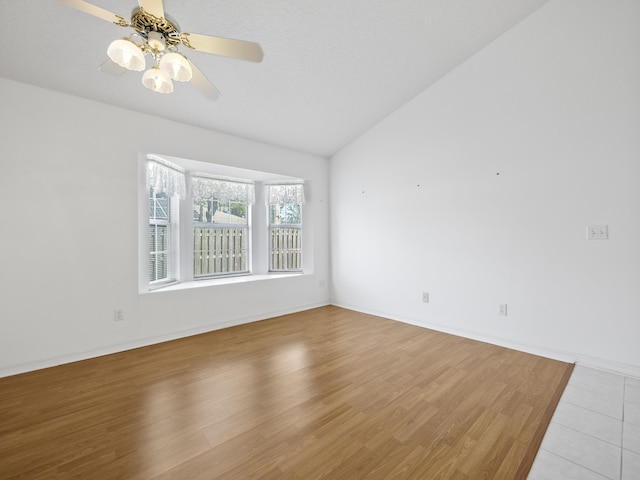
(563,356)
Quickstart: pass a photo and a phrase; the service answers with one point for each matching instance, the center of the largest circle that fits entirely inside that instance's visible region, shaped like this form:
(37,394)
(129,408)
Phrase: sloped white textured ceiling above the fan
(332,68)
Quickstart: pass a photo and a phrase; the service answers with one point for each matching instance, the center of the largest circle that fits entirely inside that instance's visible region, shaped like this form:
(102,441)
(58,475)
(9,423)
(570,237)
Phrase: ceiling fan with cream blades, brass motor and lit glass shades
(158,35)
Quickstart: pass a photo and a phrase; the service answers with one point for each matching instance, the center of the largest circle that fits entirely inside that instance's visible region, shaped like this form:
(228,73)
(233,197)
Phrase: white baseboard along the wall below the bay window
(145,342)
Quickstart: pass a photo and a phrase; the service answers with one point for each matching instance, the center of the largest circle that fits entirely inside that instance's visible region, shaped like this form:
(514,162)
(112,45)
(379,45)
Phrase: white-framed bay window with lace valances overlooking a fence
(204,221)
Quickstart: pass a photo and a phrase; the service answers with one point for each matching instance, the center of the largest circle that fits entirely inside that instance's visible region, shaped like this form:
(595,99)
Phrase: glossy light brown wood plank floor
(323,394)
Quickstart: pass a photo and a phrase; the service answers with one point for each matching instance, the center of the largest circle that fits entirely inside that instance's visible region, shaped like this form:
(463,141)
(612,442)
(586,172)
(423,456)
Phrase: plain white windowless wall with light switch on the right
(417,204)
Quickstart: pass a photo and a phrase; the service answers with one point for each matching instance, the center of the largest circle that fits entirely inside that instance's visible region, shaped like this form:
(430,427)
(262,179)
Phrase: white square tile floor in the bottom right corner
(595,431)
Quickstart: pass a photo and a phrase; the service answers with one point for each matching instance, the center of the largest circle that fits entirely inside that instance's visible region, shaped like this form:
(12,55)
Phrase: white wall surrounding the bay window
(68,241)
